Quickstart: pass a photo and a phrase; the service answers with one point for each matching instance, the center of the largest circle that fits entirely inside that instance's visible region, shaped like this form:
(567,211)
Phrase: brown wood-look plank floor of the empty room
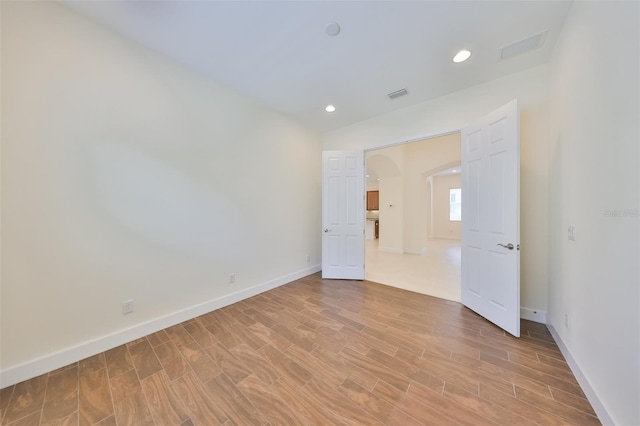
(315,352)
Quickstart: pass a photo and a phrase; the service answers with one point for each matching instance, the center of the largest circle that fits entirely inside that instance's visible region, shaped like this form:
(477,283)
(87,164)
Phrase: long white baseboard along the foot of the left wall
(55,360)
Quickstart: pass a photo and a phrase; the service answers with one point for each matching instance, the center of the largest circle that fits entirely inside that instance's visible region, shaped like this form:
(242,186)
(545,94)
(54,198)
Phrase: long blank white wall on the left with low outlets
(126,176)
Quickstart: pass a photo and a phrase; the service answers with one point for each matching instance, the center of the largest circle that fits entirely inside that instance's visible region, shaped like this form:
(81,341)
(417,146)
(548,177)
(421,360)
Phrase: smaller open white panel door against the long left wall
(343,214)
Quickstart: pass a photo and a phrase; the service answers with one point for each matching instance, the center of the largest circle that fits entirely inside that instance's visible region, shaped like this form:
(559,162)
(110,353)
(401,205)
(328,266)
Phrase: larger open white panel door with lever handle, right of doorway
(491,217)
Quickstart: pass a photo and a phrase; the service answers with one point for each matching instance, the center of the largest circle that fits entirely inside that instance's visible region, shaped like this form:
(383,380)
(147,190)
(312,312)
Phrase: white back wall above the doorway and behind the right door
(452,112)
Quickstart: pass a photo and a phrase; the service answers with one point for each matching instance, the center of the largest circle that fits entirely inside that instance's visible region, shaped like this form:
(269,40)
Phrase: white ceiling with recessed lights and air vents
(279,53)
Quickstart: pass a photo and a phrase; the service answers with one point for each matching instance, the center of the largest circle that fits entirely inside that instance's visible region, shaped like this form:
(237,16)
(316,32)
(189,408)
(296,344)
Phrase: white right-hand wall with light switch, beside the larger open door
(594,171)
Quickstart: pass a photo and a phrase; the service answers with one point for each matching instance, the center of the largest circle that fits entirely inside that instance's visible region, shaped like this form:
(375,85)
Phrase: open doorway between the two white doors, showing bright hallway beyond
(418,248)
